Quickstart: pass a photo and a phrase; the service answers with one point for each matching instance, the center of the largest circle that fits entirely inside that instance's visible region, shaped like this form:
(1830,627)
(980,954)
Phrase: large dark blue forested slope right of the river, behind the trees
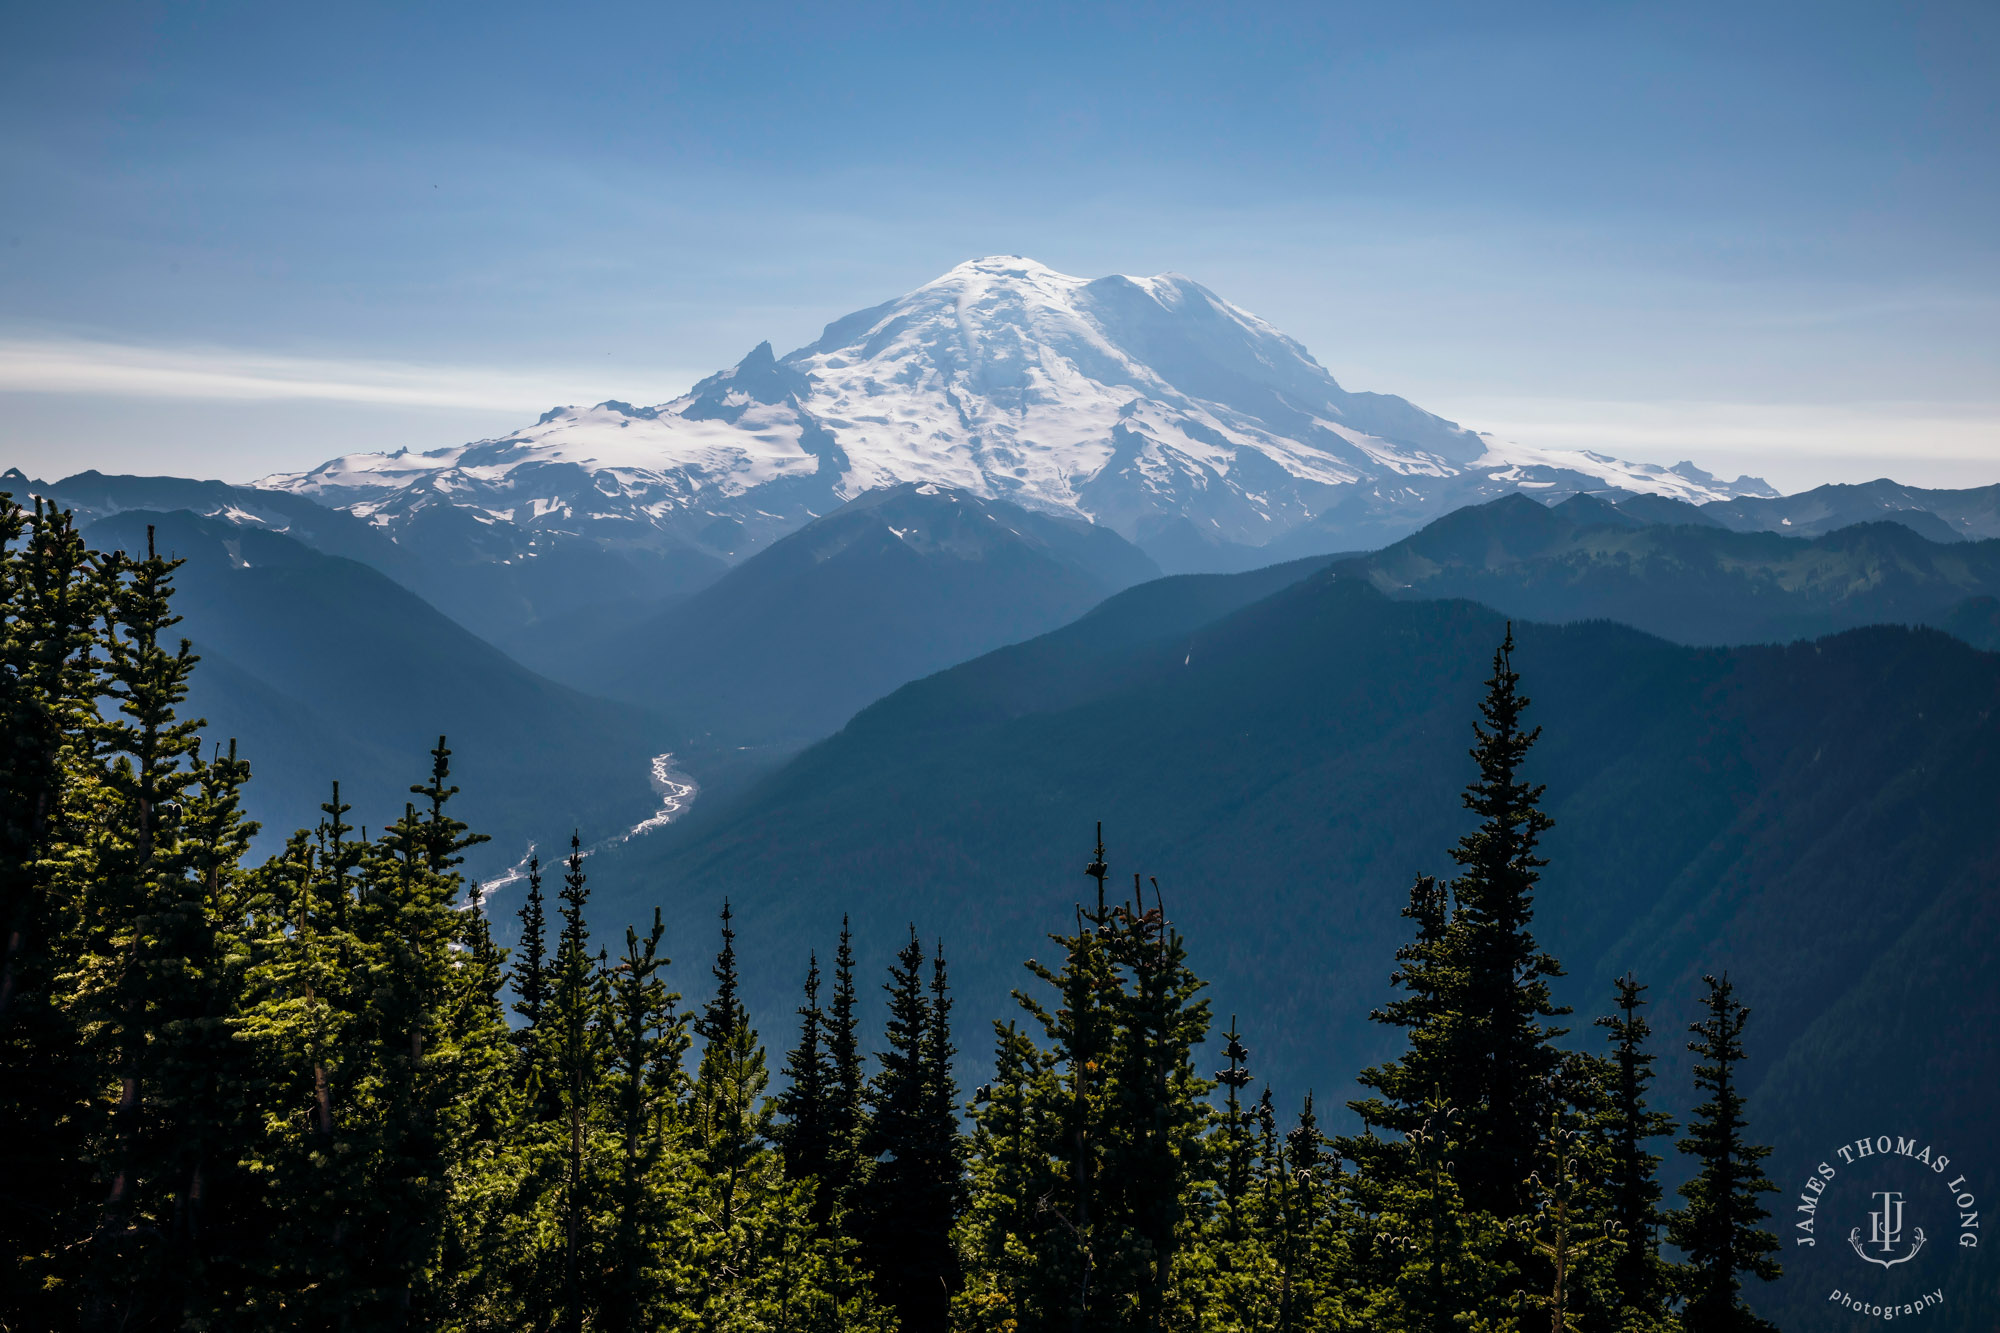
(1789,814)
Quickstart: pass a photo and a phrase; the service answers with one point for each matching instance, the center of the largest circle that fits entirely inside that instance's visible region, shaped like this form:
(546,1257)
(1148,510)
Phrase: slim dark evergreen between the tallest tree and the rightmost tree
(1631,1172)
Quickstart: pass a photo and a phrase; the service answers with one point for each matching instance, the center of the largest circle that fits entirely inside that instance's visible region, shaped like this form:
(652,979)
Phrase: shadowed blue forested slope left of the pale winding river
(325,670)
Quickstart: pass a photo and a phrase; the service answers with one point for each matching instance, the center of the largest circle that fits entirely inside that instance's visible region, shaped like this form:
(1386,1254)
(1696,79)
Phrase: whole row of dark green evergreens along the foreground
(315,1094)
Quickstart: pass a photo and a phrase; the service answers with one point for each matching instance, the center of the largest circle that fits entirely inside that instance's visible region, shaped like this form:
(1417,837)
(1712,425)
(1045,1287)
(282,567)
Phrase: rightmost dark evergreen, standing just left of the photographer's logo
(1719,1226)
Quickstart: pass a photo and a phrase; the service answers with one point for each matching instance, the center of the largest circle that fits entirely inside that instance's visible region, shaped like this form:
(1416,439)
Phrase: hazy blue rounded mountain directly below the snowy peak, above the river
(893,587)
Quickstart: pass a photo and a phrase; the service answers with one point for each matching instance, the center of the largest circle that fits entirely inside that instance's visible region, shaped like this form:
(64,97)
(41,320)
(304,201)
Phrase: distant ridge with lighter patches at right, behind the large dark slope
(1685,581)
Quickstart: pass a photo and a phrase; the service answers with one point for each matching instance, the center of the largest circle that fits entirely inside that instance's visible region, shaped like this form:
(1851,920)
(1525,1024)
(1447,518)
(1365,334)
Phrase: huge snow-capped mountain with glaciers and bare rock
(1129,401)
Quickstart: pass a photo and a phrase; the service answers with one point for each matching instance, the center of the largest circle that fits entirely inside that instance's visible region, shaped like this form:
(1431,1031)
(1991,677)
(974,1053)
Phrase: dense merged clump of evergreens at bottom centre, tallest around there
(1097,1140)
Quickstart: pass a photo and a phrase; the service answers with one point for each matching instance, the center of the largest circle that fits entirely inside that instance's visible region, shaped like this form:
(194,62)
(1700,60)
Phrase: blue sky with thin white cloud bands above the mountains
(239,239)
